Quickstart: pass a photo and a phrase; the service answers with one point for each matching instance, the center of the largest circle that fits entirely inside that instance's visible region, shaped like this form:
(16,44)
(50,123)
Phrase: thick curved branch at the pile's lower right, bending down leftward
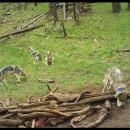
(101,118)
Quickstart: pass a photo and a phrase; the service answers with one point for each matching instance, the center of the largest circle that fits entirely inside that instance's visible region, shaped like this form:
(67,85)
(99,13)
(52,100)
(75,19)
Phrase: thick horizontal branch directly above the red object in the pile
(36,114)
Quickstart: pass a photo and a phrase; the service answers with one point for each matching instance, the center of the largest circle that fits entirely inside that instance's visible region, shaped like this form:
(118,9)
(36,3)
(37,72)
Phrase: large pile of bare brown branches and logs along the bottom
(55,108)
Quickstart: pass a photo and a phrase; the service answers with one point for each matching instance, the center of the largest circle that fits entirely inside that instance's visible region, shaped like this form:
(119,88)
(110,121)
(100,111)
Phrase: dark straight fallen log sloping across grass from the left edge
(21,31)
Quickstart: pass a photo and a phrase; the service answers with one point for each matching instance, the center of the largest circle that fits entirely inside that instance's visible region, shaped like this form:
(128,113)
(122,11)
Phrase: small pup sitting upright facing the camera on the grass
(49,58)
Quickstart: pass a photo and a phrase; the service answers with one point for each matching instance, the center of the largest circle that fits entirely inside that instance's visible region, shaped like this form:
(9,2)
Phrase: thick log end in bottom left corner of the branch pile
(10,122)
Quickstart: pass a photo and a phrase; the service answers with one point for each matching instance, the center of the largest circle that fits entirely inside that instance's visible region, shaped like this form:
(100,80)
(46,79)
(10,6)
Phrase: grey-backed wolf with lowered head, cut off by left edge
(11,69)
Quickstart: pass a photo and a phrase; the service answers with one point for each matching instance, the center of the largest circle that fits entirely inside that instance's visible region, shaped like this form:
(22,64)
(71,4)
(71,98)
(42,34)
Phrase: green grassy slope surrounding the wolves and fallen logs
(74,66)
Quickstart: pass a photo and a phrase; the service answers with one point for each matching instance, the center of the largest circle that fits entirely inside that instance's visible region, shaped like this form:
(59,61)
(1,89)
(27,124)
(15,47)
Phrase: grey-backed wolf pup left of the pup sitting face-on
(35,54)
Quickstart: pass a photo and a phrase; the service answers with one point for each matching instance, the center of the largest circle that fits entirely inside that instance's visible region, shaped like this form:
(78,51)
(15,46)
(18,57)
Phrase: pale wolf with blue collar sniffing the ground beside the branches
(115,78)
